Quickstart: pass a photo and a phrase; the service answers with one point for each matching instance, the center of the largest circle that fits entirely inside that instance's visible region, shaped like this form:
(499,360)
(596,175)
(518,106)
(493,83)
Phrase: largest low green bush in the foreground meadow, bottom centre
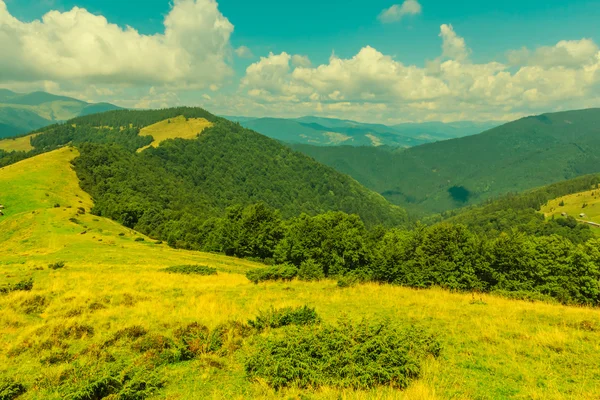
(357,356)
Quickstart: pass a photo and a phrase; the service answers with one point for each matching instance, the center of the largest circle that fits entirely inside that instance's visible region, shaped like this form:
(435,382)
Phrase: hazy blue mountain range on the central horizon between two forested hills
(319,131)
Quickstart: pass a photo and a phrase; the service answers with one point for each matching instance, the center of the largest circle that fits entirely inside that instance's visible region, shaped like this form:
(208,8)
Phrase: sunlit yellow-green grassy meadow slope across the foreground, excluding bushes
(56,334)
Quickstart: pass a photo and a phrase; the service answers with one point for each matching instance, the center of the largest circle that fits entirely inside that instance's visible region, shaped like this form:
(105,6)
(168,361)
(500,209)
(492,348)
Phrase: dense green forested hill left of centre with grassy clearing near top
(185,182)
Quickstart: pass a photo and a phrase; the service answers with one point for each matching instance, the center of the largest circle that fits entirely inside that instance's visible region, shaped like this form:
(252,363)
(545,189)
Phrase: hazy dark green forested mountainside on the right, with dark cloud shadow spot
(517,156)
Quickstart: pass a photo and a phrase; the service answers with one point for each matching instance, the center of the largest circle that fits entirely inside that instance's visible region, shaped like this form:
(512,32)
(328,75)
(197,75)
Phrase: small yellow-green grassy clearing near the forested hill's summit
(178,127)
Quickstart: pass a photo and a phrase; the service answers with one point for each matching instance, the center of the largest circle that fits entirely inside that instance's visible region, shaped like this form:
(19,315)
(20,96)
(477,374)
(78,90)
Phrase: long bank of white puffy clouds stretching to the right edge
(451,87)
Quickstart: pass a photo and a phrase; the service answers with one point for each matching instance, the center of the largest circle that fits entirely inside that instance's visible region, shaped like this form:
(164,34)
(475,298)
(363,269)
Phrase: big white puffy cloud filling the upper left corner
(79,46)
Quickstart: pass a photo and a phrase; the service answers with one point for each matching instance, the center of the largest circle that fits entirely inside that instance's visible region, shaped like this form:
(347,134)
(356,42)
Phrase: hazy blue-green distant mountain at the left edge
(22,113)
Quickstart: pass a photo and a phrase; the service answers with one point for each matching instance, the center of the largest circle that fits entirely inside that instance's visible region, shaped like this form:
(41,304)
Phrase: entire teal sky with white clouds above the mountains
(377,60)
